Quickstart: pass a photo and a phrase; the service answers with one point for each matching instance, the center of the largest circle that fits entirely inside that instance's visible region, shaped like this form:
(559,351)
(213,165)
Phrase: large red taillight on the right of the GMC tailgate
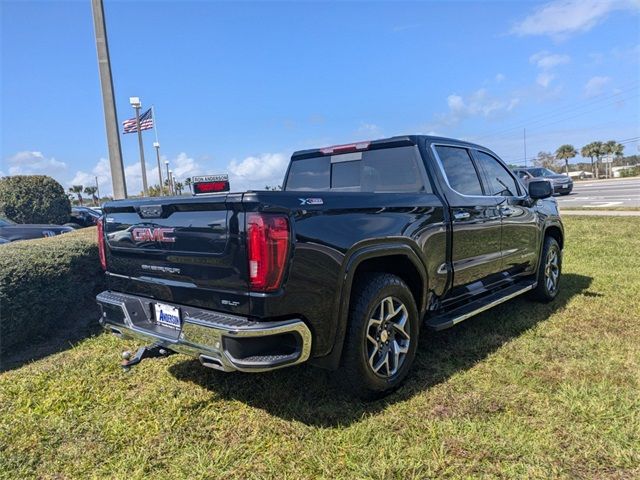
(268,246)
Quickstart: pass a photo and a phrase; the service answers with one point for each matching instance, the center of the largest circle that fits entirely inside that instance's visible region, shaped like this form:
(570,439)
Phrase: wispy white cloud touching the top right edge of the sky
(562,18)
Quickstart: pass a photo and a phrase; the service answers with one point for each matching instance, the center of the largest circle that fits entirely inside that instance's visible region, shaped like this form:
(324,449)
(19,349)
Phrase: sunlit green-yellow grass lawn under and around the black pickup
(525,390)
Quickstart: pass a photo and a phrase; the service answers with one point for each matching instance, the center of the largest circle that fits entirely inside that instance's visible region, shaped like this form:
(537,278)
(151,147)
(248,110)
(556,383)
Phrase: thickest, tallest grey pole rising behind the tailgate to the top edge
(109,102)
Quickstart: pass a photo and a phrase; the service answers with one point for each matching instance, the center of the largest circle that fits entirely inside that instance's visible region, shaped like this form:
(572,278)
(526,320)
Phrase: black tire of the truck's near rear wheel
(371,297)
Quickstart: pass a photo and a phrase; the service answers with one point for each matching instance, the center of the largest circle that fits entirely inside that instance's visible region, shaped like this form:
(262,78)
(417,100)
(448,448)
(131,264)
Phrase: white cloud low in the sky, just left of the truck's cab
(256,172)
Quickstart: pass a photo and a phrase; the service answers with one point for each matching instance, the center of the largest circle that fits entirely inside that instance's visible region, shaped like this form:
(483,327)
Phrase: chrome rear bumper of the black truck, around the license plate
(221,341)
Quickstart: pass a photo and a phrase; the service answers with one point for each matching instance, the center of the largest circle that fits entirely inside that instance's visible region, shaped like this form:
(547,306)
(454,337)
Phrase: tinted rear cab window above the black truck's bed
(385,170)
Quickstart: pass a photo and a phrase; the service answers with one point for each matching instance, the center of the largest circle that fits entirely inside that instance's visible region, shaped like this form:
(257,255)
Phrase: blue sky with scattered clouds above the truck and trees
(238,86)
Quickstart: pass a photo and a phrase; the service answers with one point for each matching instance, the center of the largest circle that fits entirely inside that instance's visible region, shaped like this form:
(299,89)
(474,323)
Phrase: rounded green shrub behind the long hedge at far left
(33,199)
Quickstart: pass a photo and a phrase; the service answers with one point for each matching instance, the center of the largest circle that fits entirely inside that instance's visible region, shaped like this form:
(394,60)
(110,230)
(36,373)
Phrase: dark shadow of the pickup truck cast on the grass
(309,395)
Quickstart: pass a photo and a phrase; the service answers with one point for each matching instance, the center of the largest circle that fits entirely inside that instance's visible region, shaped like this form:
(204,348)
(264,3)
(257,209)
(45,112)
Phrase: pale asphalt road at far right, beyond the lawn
(623,192)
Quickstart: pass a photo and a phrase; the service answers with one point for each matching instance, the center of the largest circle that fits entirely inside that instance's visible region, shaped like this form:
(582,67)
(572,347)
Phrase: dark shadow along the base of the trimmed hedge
(55,340)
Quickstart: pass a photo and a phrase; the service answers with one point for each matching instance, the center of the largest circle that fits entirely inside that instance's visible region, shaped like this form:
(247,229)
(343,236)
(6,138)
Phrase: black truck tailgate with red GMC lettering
(182,250)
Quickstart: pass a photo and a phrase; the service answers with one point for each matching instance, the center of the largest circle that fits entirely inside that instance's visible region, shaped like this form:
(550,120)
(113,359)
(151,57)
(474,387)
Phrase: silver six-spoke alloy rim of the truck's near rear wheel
(388,337)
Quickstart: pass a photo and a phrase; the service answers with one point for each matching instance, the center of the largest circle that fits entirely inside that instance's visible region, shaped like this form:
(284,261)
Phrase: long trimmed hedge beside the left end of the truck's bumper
(46,284)
